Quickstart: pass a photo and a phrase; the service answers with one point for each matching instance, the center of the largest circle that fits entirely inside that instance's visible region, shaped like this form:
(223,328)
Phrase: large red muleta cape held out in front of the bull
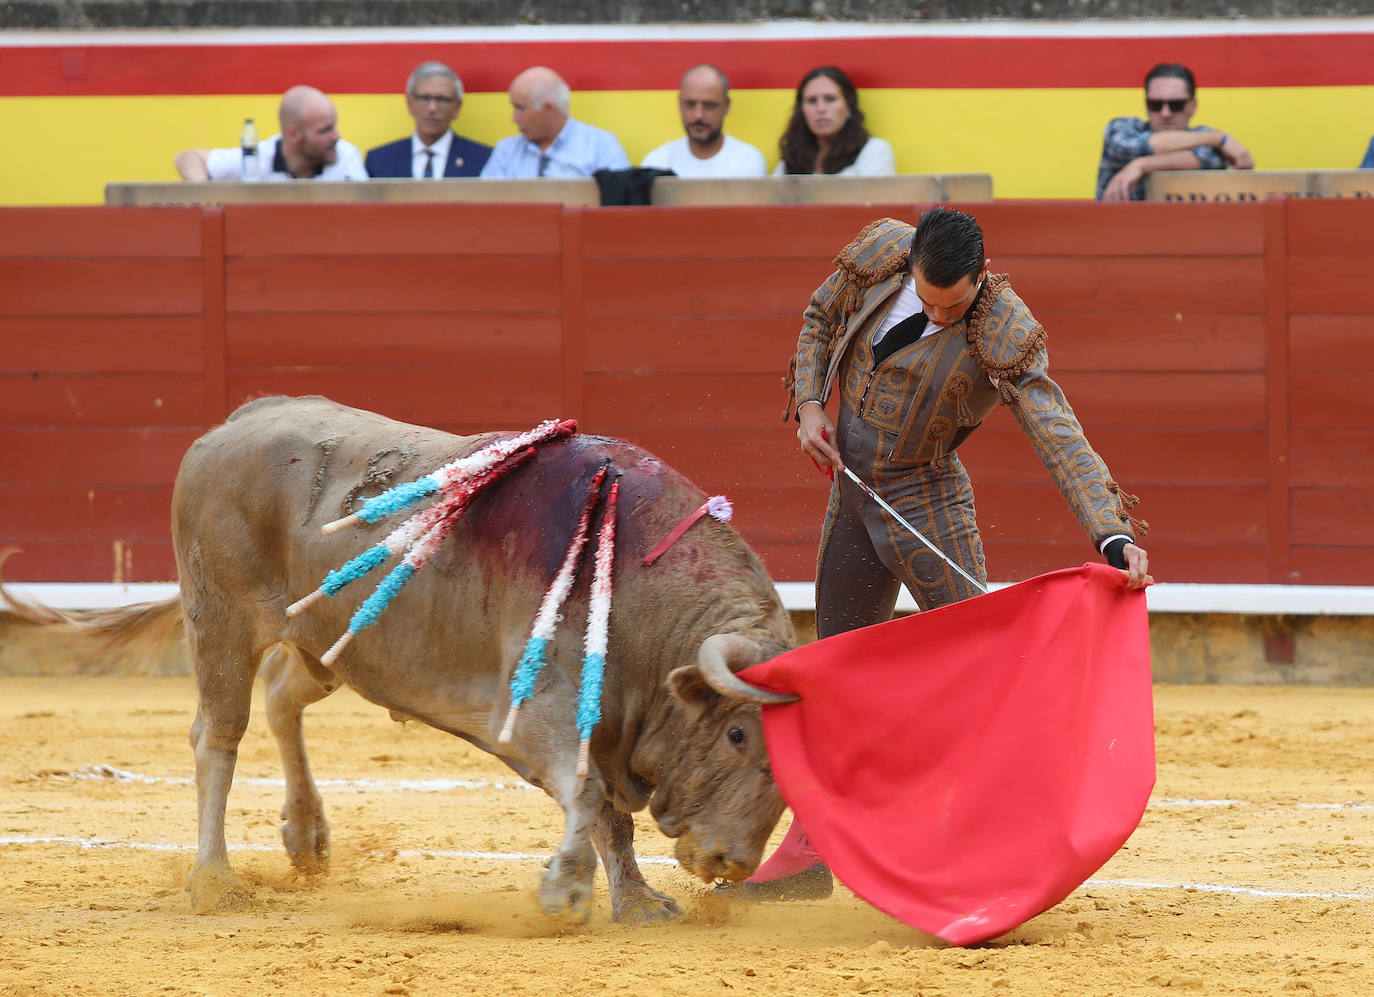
(967,768)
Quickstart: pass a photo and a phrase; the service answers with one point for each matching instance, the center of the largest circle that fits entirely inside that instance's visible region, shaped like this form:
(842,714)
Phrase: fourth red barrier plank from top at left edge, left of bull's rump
(101,400)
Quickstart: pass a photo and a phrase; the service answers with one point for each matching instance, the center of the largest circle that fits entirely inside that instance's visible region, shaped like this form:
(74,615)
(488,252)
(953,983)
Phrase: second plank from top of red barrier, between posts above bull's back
(392,284)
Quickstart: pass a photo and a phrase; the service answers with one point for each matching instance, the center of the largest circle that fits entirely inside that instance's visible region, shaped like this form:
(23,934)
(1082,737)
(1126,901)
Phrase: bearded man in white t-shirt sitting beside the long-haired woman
(707,152)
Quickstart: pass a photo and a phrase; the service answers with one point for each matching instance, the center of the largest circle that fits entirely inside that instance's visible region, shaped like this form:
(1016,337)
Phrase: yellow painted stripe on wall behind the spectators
(1037,144)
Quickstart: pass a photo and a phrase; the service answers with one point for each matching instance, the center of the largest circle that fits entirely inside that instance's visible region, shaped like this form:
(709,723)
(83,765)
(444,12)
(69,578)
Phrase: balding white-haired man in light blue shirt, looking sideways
(550,142)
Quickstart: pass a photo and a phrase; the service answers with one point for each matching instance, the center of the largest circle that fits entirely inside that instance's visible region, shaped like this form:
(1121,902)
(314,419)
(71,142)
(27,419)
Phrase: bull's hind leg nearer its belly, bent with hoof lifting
(293,682)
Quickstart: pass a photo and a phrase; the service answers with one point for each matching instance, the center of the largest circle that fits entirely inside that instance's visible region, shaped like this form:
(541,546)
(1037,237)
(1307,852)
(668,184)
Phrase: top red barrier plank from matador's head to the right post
(1127,230)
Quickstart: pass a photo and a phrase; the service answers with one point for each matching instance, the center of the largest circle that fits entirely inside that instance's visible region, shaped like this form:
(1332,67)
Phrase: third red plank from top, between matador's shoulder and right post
(1152,341)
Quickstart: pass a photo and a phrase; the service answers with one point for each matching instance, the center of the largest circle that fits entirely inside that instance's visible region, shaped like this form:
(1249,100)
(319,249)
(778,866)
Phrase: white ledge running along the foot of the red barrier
(1255,601)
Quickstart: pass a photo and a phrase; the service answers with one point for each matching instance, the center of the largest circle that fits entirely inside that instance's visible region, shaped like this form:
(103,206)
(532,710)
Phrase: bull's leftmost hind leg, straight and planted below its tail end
(225,675)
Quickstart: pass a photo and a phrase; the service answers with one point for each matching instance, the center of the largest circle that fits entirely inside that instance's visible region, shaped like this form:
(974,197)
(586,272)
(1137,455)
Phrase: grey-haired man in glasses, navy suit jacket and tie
(433,98)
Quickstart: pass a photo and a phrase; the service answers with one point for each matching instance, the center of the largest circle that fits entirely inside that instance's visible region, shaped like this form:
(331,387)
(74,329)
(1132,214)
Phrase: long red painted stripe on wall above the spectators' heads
(601,65)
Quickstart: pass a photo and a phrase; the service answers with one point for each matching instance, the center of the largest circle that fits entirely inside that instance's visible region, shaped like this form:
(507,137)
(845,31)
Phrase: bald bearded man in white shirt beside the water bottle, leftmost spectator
(307,149)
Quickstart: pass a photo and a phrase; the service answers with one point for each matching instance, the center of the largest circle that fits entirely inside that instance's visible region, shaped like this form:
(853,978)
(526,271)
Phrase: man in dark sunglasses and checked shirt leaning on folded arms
(1134,148)
